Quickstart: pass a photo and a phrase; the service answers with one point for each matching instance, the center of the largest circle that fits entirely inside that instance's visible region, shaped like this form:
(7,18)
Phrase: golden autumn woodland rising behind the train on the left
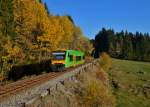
(28,33)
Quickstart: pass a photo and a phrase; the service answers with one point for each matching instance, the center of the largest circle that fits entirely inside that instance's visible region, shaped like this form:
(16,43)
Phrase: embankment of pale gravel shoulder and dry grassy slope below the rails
(86,85)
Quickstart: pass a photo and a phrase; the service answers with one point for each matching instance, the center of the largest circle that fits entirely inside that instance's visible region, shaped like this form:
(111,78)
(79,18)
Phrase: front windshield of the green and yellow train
(58,55)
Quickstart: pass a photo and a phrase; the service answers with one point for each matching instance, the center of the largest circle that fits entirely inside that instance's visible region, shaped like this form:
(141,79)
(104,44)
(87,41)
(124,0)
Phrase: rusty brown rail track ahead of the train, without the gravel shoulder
(15,88)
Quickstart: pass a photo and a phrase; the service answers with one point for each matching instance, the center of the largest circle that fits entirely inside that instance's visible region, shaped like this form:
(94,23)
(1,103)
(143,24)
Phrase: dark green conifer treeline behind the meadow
(123,45)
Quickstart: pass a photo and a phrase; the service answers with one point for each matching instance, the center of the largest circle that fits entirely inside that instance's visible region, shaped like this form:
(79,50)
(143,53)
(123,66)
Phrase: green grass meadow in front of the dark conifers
(130,77)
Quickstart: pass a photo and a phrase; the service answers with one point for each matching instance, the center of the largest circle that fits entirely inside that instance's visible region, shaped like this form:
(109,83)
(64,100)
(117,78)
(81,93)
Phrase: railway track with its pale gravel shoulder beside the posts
(27,92)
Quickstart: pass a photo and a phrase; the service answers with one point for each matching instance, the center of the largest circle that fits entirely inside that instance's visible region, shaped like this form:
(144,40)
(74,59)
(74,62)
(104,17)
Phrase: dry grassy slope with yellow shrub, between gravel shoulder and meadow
(89,89)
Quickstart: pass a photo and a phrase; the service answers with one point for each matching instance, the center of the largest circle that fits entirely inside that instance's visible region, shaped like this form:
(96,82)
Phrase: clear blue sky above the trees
(92,15)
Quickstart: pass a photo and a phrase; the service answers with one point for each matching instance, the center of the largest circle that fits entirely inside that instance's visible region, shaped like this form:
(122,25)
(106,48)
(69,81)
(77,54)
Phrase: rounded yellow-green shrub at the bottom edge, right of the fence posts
(96,94)
